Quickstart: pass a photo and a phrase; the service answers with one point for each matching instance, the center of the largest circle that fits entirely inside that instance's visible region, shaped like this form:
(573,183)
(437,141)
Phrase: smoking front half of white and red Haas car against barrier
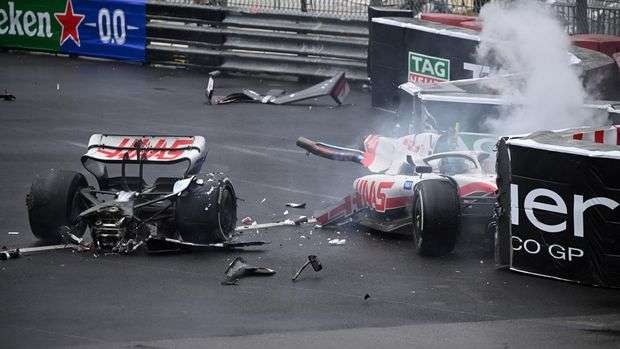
(425,183)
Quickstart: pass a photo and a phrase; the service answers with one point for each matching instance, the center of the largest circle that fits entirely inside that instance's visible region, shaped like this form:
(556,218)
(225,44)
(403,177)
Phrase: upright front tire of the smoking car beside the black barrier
(436,211)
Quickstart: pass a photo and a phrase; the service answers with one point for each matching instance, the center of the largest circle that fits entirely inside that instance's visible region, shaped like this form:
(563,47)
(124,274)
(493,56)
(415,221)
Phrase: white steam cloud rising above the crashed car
(525,38)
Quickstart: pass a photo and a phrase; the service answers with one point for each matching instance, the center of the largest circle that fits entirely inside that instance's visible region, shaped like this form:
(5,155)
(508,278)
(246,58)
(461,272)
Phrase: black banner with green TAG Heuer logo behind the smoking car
(410,49)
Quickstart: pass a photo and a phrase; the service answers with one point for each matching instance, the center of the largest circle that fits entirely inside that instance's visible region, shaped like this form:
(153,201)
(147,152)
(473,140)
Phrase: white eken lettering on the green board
(29,23)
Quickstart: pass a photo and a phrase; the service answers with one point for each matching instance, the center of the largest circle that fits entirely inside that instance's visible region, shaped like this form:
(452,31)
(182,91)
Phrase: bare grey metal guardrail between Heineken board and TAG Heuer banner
(263,42)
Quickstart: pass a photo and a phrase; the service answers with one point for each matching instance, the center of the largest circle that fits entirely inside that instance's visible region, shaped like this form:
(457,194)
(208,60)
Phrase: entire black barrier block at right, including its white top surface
(559,200)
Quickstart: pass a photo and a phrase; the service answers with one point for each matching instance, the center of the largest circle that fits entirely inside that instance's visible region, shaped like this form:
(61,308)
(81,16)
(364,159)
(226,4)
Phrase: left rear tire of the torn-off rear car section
(54,202)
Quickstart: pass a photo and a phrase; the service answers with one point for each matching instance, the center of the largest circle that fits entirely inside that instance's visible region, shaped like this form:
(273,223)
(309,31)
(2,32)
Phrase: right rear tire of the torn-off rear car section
(207,213)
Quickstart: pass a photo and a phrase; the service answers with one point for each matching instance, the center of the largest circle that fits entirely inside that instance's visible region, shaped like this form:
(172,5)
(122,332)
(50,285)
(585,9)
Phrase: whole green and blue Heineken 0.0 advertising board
(101,28)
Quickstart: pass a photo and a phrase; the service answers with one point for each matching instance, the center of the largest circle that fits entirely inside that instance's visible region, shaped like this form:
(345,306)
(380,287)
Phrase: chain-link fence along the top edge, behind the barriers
(579,16)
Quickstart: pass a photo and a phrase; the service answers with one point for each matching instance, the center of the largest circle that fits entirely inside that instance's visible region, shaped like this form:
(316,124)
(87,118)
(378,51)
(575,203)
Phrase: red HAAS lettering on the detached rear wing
(152,149)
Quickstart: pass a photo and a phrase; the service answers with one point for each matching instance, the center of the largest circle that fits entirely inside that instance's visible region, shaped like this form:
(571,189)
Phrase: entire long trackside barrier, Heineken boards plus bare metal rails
(207,37)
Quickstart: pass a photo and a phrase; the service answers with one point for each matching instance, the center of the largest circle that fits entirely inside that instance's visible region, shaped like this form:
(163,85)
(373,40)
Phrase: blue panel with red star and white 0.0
(104,28)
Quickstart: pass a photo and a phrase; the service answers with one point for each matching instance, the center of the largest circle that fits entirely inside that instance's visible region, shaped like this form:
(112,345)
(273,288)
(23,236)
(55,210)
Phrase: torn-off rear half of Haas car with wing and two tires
(126,212)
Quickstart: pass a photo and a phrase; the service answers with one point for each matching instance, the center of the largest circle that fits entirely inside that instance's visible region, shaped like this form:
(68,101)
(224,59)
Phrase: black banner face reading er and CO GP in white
(565,214)
